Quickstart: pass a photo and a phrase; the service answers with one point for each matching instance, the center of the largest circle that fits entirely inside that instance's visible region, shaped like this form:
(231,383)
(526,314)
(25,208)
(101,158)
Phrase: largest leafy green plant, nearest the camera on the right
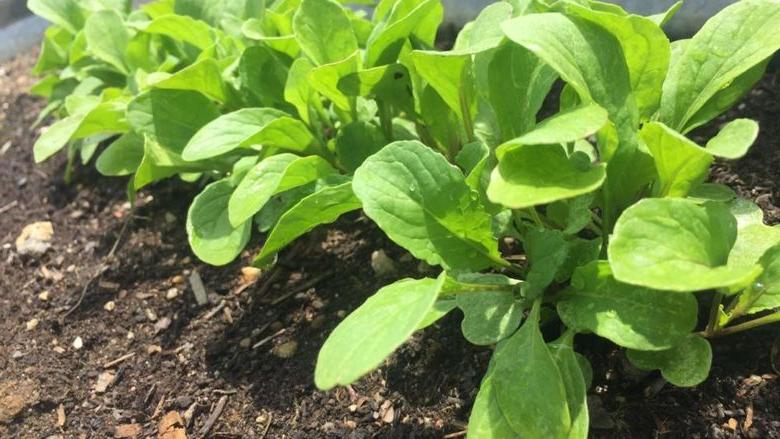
(608,197)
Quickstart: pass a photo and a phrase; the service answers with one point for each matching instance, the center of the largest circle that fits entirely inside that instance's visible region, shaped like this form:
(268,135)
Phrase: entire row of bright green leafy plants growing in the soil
(291,113)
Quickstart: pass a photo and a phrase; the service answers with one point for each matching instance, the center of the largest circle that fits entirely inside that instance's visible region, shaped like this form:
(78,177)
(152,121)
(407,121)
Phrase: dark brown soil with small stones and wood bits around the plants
(194,359)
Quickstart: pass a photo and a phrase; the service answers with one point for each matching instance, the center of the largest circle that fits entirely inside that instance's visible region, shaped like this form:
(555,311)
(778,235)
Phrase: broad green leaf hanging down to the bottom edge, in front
(528,384)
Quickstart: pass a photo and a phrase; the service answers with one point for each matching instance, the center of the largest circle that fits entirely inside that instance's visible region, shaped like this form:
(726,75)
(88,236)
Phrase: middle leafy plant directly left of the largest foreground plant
(342,101)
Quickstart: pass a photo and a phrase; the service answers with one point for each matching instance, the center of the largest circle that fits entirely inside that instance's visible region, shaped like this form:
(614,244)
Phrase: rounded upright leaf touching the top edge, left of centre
(324,31)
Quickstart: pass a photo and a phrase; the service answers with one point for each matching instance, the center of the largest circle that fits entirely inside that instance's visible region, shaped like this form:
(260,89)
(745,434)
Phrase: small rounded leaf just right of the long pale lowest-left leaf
(490,311)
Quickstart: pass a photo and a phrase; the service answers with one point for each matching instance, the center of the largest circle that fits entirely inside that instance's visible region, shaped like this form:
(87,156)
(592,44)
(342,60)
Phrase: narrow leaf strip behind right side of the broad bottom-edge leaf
(573,378)
